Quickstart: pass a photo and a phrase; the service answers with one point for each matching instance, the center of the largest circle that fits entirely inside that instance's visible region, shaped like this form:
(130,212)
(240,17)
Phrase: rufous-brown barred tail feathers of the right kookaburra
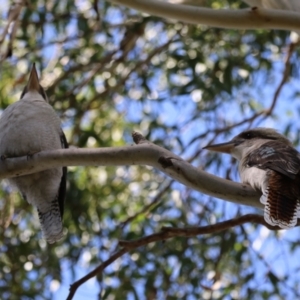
(281,200)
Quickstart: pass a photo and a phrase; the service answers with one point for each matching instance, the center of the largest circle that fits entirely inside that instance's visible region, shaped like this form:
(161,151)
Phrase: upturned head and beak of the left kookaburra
(33,87)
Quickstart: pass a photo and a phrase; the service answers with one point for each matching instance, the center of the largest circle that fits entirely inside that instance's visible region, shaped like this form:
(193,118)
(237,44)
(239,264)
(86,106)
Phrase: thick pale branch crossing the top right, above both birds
(252,18)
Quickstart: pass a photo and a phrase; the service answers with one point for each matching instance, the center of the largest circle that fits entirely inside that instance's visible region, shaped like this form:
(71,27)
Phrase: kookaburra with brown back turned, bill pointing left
(269,163)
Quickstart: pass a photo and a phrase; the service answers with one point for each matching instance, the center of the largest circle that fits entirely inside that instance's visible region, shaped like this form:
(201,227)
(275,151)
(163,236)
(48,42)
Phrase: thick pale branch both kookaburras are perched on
(144,153)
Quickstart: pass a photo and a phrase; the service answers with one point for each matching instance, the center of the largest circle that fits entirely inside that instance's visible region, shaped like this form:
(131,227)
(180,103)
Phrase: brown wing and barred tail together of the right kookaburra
(282,196)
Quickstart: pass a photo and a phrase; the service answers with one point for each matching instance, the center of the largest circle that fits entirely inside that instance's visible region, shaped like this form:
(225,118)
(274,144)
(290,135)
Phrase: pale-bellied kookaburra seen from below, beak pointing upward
(27,127)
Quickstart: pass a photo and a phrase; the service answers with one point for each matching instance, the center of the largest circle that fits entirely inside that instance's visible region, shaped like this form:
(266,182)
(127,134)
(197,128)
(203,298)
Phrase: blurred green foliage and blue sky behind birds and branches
(109,70)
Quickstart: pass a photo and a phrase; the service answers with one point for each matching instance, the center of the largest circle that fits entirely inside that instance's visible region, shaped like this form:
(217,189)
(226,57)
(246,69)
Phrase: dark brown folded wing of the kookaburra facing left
(276,156)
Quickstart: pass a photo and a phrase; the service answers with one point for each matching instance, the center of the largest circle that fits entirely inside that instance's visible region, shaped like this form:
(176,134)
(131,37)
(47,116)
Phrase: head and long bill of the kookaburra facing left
(247,141)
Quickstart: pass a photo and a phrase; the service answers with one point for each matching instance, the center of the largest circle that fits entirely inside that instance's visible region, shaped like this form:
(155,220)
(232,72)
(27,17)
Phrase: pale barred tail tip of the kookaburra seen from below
(51,223)
